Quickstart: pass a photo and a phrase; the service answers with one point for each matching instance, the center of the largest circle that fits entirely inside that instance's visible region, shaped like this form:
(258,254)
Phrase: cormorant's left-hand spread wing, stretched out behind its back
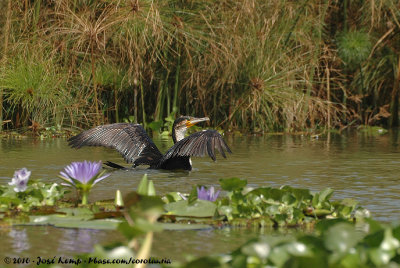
(131,140)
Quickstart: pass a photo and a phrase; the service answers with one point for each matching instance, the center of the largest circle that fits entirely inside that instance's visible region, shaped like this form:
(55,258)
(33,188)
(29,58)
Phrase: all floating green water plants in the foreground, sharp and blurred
(341,234)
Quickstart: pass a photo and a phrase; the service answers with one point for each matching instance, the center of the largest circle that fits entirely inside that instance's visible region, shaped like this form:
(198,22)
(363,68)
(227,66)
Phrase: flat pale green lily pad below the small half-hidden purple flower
(200,208)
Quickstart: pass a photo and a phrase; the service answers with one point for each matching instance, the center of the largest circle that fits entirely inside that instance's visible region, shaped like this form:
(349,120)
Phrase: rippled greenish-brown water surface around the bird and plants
(357,166)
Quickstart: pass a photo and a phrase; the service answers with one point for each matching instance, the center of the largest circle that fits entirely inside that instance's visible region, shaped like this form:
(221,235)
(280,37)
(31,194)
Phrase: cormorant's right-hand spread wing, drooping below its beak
(198,144)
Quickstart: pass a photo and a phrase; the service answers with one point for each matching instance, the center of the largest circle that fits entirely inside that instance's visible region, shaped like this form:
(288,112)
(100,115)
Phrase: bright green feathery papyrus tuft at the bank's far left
(35,88)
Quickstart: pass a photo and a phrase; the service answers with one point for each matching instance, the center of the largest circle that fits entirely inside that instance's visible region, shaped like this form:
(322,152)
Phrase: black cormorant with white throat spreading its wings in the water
(132,141)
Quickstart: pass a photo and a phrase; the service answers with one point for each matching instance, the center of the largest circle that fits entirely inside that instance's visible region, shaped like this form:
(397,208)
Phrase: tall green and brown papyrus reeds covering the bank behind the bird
(255,65)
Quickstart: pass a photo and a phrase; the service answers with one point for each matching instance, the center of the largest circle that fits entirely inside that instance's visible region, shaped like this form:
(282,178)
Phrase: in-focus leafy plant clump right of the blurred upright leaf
(260,207)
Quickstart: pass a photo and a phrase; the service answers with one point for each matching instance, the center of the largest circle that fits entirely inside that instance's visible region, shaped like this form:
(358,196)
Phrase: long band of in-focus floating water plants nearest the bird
(242,206)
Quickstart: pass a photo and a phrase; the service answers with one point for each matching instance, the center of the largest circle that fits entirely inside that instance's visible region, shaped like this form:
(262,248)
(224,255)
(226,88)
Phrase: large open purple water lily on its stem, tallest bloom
(82,176)
